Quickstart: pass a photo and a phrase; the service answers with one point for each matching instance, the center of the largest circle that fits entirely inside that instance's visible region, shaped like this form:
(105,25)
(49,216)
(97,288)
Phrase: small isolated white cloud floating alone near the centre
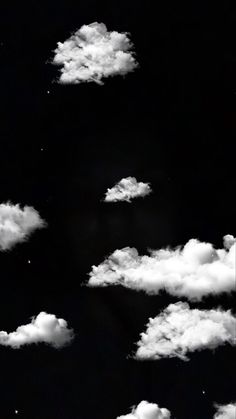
(127,189)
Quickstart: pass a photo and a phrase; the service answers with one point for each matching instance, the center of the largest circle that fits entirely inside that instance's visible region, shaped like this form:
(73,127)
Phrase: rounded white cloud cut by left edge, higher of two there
(17,224)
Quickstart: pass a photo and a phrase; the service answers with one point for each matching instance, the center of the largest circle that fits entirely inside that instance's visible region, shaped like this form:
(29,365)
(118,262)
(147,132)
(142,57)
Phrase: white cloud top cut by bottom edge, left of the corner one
(146,410)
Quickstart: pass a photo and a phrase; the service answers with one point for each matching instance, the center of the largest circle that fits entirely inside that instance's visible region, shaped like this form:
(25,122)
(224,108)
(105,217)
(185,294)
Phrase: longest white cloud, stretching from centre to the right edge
(194,271)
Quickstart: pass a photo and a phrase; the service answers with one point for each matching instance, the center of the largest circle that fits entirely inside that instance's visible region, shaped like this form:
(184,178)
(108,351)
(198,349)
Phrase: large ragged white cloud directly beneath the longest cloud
(179,330)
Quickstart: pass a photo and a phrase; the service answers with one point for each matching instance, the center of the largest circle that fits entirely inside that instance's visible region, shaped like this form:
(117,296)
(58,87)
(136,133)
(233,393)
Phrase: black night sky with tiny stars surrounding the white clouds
(171,123)
